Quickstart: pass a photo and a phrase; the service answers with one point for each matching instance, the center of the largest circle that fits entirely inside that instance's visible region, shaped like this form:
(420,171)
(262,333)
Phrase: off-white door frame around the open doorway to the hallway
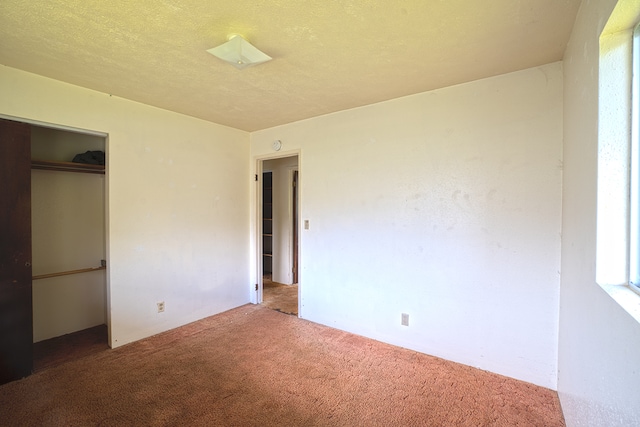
(257,286)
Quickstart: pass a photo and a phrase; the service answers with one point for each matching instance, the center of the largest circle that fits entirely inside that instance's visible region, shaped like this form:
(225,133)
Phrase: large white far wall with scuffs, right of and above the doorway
(446,206)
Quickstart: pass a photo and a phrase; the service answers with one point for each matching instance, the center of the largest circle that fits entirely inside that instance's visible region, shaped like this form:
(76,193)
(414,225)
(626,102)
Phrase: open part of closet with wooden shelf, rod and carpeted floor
(69,257)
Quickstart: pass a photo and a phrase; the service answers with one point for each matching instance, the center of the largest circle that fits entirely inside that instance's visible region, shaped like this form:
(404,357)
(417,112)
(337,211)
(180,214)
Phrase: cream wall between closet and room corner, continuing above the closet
(177,203)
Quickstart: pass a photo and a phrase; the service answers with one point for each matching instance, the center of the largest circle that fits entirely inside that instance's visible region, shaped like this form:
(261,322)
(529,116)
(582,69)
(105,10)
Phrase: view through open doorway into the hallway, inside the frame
(279,234)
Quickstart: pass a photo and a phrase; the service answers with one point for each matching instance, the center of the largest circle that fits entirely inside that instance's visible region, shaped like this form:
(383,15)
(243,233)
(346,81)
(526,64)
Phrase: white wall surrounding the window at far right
(599,342)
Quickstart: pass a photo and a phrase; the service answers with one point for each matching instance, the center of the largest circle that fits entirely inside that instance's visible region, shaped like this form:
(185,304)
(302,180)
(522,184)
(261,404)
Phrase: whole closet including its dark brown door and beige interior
(55,251)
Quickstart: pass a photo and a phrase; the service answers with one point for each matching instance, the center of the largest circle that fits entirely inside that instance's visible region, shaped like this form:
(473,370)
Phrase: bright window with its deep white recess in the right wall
(618,193)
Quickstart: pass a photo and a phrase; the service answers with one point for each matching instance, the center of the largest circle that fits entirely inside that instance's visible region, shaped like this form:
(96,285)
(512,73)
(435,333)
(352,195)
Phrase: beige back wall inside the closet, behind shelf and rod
(67,229)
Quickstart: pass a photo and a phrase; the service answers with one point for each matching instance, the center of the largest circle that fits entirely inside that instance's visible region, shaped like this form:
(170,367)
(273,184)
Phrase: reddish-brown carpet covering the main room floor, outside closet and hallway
(252,366)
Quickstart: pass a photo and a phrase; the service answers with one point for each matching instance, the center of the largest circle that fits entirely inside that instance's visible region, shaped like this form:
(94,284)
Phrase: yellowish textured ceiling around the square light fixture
(328,55)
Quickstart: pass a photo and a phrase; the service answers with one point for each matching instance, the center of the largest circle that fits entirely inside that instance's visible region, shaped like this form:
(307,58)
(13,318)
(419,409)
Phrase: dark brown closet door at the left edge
(16,319)
